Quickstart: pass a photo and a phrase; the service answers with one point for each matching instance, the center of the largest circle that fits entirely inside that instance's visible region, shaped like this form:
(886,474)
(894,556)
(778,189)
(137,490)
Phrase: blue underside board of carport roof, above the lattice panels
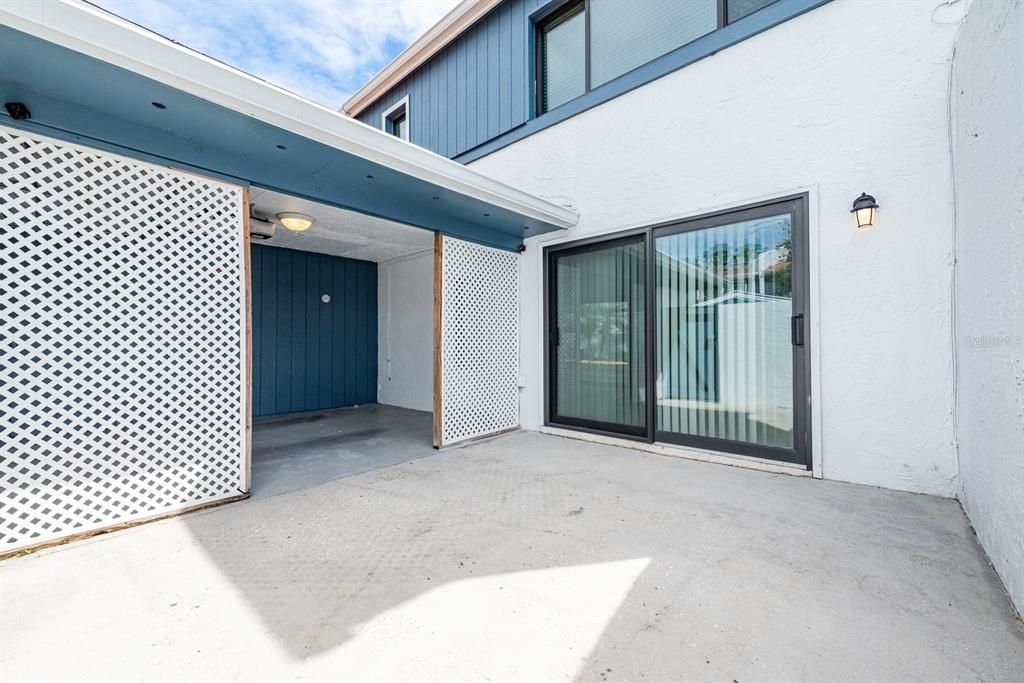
(86,101)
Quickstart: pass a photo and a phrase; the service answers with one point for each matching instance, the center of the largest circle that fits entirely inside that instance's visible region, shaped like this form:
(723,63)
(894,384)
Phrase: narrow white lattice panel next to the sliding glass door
(480,340)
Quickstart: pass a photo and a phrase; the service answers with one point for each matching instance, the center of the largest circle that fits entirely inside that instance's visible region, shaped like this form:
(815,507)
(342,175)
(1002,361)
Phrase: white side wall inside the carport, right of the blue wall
(406,322)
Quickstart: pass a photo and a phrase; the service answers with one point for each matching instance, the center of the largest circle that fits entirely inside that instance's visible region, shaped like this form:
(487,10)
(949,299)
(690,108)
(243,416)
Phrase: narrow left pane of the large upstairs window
(564,59)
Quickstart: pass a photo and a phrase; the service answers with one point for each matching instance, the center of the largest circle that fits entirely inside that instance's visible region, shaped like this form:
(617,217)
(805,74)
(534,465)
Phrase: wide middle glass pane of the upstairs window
(626,34)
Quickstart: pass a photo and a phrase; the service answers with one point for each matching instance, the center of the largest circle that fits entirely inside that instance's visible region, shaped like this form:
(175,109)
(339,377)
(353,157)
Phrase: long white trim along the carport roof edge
(99,34)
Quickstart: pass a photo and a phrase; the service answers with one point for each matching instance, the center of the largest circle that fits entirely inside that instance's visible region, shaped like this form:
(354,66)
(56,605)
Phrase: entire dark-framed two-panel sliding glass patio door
(691,333)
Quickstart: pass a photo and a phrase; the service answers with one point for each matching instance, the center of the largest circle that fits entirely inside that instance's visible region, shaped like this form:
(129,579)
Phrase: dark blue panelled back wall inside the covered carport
(309,355)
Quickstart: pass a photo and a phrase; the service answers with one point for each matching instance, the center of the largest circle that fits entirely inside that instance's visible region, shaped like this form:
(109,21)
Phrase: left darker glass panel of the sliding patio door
(599,338)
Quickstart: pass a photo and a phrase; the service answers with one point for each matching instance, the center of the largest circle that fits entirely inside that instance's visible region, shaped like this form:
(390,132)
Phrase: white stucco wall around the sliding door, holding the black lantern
(849,98)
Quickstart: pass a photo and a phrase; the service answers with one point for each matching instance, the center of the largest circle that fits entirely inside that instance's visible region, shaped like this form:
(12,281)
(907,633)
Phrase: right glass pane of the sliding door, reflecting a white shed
(724,366)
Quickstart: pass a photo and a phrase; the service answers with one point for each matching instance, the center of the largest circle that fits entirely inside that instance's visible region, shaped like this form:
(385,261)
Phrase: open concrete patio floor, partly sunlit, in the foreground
(527,557)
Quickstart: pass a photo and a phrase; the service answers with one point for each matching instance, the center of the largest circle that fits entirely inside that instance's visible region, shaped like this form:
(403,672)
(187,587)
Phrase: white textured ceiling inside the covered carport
(339,233)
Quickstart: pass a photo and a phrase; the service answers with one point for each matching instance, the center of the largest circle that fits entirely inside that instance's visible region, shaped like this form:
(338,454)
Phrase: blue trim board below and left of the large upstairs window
(750,26)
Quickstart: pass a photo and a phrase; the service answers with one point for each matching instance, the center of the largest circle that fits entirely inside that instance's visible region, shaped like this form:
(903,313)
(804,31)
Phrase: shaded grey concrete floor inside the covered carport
(303,451)
